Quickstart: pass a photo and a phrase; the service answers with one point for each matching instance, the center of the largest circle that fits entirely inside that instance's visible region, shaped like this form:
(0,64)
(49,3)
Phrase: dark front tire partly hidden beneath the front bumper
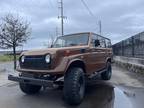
(29,89)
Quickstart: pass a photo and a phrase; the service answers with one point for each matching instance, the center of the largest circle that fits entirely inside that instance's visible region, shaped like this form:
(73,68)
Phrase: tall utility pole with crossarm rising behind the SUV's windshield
(62,17)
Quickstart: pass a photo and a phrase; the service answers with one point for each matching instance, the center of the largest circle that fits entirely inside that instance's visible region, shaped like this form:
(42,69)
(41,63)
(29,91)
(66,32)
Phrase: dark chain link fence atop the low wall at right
(131,47)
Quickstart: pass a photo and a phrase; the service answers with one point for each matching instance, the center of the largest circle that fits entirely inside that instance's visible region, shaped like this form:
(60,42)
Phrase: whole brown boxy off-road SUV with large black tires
(70,61)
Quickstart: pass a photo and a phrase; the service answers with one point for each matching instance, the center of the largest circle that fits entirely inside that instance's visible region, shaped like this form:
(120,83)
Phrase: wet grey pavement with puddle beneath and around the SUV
(124,90)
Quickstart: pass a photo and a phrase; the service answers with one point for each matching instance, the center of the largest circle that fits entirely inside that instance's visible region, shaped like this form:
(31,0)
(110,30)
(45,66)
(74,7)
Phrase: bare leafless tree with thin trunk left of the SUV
(14,31)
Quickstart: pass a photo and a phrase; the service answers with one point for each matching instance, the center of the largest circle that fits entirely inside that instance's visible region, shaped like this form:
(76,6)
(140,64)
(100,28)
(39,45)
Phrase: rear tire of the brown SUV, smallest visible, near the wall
(106,75)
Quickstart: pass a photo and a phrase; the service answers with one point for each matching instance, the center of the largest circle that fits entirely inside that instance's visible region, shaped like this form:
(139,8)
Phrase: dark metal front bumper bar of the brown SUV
(33,81)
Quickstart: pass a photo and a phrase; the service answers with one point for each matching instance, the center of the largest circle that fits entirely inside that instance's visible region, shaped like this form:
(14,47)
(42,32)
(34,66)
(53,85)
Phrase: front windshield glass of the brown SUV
(71,40)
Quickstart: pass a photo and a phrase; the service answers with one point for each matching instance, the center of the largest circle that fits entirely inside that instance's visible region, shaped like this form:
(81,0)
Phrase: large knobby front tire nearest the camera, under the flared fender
(74,86)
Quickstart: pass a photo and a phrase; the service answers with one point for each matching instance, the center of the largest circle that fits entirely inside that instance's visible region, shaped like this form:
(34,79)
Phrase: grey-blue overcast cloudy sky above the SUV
(120,18)
